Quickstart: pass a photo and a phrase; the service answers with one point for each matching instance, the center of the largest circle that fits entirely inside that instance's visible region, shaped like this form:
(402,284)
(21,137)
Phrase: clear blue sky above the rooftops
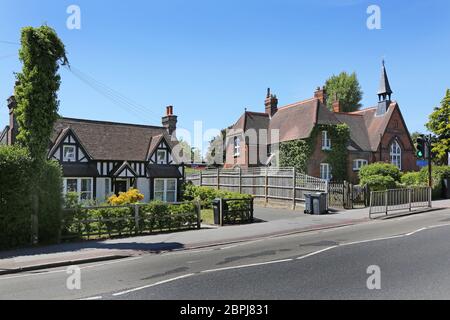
(211,59)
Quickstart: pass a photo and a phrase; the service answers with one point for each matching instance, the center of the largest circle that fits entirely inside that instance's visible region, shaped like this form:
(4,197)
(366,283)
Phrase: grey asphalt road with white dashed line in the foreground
(412,254)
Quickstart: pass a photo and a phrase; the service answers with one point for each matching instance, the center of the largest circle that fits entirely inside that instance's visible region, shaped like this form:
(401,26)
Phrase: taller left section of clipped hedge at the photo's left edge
(15,199)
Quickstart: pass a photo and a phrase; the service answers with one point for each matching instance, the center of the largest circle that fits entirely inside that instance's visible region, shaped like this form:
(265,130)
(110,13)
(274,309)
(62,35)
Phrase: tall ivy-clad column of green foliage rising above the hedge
(36,92)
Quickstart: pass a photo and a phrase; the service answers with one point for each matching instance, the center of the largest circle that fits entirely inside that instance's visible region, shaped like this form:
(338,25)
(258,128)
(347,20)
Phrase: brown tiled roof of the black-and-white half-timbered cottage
(109,140)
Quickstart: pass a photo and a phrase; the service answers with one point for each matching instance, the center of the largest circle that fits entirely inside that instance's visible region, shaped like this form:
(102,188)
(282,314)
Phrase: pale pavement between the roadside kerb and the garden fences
(271,223)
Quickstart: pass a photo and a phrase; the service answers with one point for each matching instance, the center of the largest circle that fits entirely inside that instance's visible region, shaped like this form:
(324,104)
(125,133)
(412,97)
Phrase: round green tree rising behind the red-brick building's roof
(345,87)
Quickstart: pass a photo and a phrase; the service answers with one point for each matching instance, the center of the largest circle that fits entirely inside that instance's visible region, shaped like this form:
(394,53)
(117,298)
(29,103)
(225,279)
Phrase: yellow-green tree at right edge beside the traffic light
(439,125)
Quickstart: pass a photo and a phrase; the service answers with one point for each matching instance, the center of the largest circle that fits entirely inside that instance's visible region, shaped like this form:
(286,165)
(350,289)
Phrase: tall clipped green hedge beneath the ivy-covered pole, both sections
(16,189)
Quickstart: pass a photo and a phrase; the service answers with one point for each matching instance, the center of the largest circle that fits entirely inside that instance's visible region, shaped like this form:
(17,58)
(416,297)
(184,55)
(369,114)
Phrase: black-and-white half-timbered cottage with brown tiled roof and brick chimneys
(101,158)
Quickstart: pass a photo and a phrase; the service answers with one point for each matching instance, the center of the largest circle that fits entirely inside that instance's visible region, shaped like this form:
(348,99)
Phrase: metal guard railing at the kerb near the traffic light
(383,202)
